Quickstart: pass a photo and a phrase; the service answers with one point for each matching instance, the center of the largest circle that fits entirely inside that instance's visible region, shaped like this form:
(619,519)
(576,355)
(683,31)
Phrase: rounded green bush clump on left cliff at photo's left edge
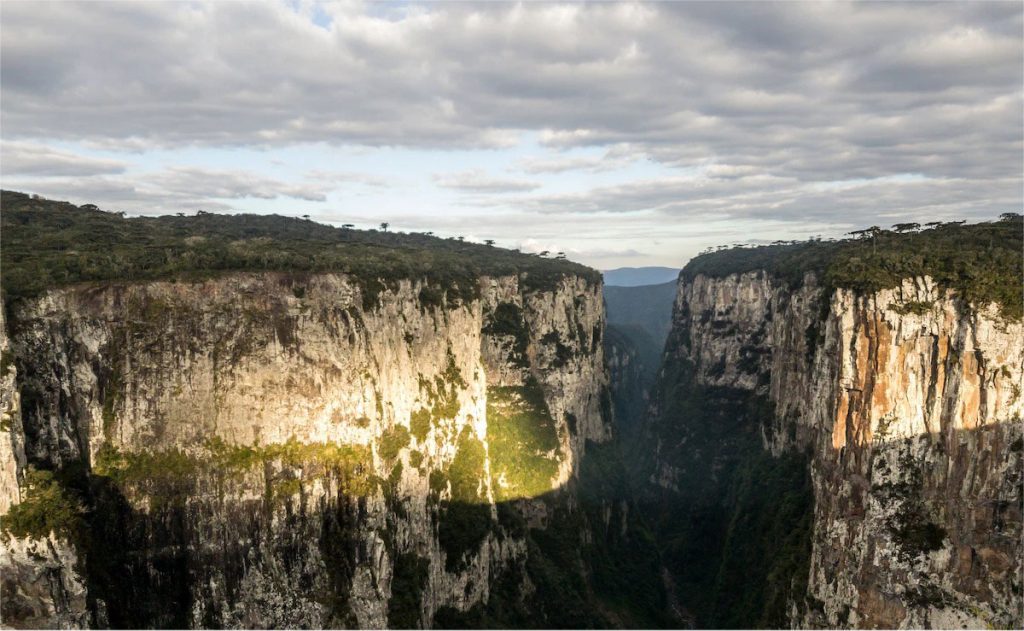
(47,508)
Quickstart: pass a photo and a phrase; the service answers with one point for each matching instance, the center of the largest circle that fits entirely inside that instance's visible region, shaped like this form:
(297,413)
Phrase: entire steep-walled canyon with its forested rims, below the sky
(305,447)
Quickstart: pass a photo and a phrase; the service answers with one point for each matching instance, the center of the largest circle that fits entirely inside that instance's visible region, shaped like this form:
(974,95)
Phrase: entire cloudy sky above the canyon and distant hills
(624,135)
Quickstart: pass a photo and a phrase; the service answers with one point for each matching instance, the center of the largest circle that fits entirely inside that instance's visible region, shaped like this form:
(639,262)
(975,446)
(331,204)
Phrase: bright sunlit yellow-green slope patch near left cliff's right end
(524,440)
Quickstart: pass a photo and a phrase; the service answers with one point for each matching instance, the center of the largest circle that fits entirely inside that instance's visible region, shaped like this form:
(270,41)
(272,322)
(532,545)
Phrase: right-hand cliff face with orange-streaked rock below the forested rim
(906,405)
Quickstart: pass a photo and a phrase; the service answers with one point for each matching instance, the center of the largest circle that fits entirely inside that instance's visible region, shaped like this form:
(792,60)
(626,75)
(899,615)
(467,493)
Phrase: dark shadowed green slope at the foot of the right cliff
(737,535)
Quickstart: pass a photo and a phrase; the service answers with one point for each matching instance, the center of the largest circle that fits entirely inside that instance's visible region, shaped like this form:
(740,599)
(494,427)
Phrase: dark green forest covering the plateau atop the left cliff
(48,244)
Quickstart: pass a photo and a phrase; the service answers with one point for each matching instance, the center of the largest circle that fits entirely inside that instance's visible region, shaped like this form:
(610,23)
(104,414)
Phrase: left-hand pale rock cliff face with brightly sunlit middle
(286,450)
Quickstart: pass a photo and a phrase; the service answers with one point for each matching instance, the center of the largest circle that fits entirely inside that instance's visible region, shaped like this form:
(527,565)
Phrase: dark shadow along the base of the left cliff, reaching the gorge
(186,559)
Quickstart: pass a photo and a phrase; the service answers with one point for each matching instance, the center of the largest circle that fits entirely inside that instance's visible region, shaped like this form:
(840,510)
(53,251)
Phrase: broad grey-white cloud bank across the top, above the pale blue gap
(684,82)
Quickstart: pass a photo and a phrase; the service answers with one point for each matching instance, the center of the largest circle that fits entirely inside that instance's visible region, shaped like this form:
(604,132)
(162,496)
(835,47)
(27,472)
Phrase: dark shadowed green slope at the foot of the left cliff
(594,566)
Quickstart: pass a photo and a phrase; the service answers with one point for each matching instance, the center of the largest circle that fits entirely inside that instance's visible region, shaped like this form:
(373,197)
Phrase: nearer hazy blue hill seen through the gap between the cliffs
(648,309)
